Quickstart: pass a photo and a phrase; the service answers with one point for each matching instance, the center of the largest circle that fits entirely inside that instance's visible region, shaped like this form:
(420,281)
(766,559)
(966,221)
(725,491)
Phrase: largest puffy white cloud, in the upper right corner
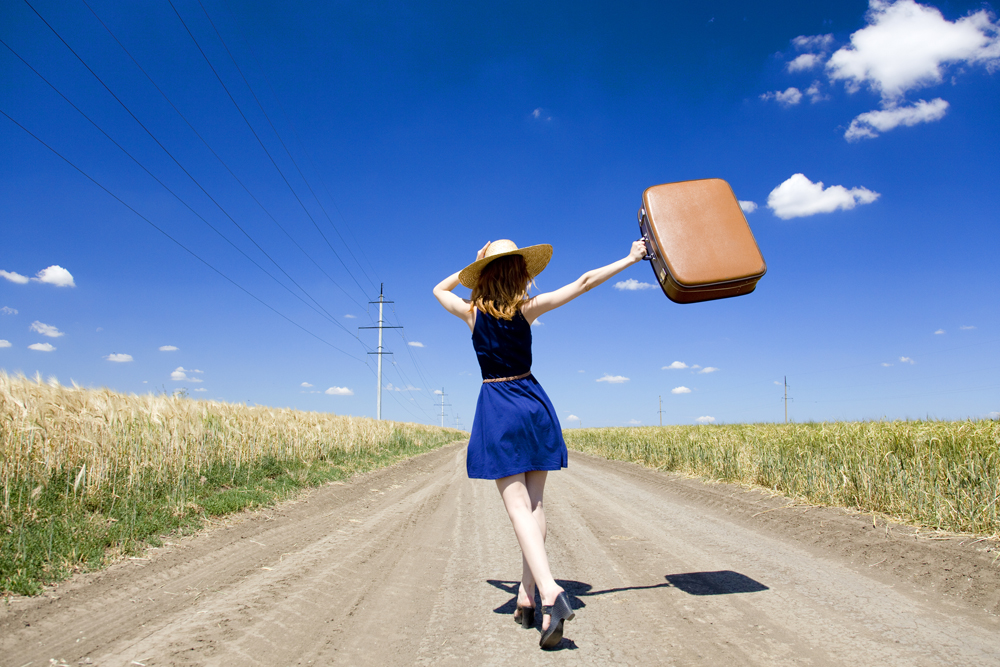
(906,45)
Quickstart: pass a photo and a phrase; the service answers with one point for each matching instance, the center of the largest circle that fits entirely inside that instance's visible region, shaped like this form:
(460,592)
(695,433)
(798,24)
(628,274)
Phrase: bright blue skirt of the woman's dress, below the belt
(515,430)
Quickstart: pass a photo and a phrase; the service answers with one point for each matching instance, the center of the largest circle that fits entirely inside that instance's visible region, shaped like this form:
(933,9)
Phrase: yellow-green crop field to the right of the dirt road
(942,475)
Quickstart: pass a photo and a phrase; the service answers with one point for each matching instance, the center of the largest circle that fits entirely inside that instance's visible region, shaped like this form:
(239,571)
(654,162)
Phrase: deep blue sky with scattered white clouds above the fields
(862,139)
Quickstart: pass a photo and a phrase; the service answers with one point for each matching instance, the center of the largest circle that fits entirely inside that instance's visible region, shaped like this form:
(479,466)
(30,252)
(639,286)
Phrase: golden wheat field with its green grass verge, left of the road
(90,473)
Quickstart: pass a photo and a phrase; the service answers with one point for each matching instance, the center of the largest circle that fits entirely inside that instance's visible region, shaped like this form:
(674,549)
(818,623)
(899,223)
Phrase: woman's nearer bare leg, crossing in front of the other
(522,497)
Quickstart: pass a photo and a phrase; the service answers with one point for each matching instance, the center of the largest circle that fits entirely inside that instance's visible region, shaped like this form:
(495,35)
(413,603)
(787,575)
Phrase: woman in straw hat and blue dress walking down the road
(516,438)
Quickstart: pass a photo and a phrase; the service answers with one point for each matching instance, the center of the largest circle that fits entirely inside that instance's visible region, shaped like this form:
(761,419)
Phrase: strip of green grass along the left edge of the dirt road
(53,529)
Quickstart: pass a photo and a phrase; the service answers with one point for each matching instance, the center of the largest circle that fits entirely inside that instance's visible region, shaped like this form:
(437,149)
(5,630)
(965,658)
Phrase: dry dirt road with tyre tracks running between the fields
(416,564)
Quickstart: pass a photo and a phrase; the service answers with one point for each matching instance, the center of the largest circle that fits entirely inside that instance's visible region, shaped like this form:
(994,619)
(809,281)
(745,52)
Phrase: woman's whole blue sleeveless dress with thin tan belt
(515,429)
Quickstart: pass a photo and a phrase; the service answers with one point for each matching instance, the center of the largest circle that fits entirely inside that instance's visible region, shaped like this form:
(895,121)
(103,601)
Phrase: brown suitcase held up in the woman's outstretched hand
(698,241)
